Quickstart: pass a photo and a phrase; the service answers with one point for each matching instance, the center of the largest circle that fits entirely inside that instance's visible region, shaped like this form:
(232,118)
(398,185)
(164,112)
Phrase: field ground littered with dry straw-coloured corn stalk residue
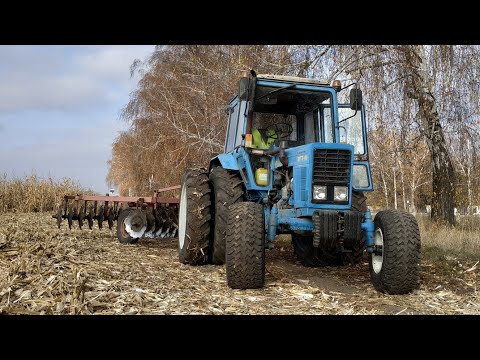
(45,270)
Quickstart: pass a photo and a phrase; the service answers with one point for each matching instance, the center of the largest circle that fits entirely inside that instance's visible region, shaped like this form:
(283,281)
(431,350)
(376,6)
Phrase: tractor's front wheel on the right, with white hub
(396,270)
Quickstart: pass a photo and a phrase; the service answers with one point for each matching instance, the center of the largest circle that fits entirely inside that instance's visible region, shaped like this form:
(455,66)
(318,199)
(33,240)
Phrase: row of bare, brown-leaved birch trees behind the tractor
(421,102)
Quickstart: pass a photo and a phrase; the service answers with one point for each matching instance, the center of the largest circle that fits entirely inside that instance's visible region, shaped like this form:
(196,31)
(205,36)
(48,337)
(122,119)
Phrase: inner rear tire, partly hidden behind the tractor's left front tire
(227,190)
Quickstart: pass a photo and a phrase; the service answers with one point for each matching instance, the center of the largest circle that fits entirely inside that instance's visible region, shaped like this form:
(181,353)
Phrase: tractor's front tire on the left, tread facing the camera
(245,246)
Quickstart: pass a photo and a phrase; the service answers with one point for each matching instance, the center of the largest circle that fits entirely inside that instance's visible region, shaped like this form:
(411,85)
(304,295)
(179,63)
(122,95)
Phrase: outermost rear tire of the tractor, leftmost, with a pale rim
(194,218)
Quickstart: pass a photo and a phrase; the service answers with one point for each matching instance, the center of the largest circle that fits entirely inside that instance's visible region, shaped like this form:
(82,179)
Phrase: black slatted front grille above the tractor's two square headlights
(331,167)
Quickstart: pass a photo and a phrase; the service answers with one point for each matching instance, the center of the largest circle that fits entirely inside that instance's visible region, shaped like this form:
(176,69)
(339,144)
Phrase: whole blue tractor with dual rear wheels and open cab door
(295,162)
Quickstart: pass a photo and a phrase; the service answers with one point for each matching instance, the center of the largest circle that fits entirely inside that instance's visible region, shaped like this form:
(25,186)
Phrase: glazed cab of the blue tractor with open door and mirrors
(283,112)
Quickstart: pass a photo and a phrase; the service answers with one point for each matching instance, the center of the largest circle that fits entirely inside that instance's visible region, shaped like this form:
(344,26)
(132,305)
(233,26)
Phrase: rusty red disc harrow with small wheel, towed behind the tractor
(148,217)
